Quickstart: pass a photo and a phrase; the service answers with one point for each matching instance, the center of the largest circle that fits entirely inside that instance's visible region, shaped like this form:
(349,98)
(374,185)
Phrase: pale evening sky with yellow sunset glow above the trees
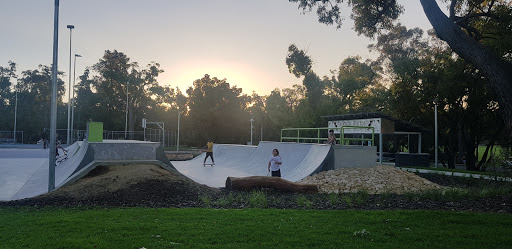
(243,41)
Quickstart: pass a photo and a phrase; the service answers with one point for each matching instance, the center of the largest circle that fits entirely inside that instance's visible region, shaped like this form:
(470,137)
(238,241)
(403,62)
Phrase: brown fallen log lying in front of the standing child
(260,182)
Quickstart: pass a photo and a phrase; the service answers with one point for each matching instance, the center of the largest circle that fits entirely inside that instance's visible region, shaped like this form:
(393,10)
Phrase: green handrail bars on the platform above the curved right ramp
(341,140)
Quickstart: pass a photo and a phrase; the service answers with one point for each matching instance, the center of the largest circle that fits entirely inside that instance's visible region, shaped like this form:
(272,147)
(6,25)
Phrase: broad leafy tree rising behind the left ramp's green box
(120,84)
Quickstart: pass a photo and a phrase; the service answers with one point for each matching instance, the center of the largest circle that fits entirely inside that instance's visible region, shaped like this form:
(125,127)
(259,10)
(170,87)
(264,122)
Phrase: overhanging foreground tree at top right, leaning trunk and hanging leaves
(374,16)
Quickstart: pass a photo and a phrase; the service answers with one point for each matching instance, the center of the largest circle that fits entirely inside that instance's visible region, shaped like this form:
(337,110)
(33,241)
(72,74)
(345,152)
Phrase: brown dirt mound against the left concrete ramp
(129,185)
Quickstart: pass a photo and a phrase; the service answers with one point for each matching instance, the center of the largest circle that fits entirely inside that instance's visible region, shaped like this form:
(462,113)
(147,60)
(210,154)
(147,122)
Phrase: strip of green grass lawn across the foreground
(249,228)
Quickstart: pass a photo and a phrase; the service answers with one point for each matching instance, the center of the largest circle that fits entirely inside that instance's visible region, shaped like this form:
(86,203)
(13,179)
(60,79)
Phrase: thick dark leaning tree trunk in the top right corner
(496,70)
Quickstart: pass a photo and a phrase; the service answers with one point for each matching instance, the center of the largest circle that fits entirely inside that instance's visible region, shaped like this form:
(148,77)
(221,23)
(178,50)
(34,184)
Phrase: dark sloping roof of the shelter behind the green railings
(400,125)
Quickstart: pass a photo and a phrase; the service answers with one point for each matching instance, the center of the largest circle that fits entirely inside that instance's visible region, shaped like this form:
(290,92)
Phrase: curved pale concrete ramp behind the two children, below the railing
(299,160)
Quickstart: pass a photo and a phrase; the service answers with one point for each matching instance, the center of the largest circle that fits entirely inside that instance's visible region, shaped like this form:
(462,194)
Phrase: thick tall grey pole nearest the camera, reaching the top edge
(53,112)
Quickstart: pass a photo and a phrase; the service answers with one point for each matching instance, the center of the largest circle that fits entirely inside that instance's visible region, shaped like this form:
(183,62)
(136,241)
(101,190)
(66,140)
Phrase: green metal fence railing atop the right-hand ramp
(319,135)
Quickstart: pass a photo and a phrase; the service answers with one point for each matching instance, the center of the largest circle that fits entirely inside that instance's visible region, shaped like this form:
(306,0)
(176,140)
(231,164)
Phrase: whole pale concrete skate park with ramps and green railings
(301,158)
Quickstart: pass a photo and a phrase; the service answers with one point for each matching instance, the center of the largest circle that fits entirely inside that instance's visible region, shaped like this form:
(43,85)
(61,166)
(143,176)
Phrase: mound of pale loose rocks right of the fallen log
(376,180)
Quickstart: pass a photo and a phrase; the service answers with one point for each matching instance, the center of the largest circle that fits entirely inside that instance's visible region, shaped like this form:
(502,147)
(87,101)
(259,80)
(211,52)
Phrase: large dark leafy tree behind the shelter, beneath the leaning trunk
(422,71)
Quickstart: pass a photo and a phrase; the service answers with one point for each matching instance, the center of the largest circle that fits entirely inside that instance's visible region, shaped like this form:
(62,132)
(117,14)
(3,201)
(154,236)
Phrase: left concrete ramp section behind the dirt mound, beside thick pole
(28,177)
